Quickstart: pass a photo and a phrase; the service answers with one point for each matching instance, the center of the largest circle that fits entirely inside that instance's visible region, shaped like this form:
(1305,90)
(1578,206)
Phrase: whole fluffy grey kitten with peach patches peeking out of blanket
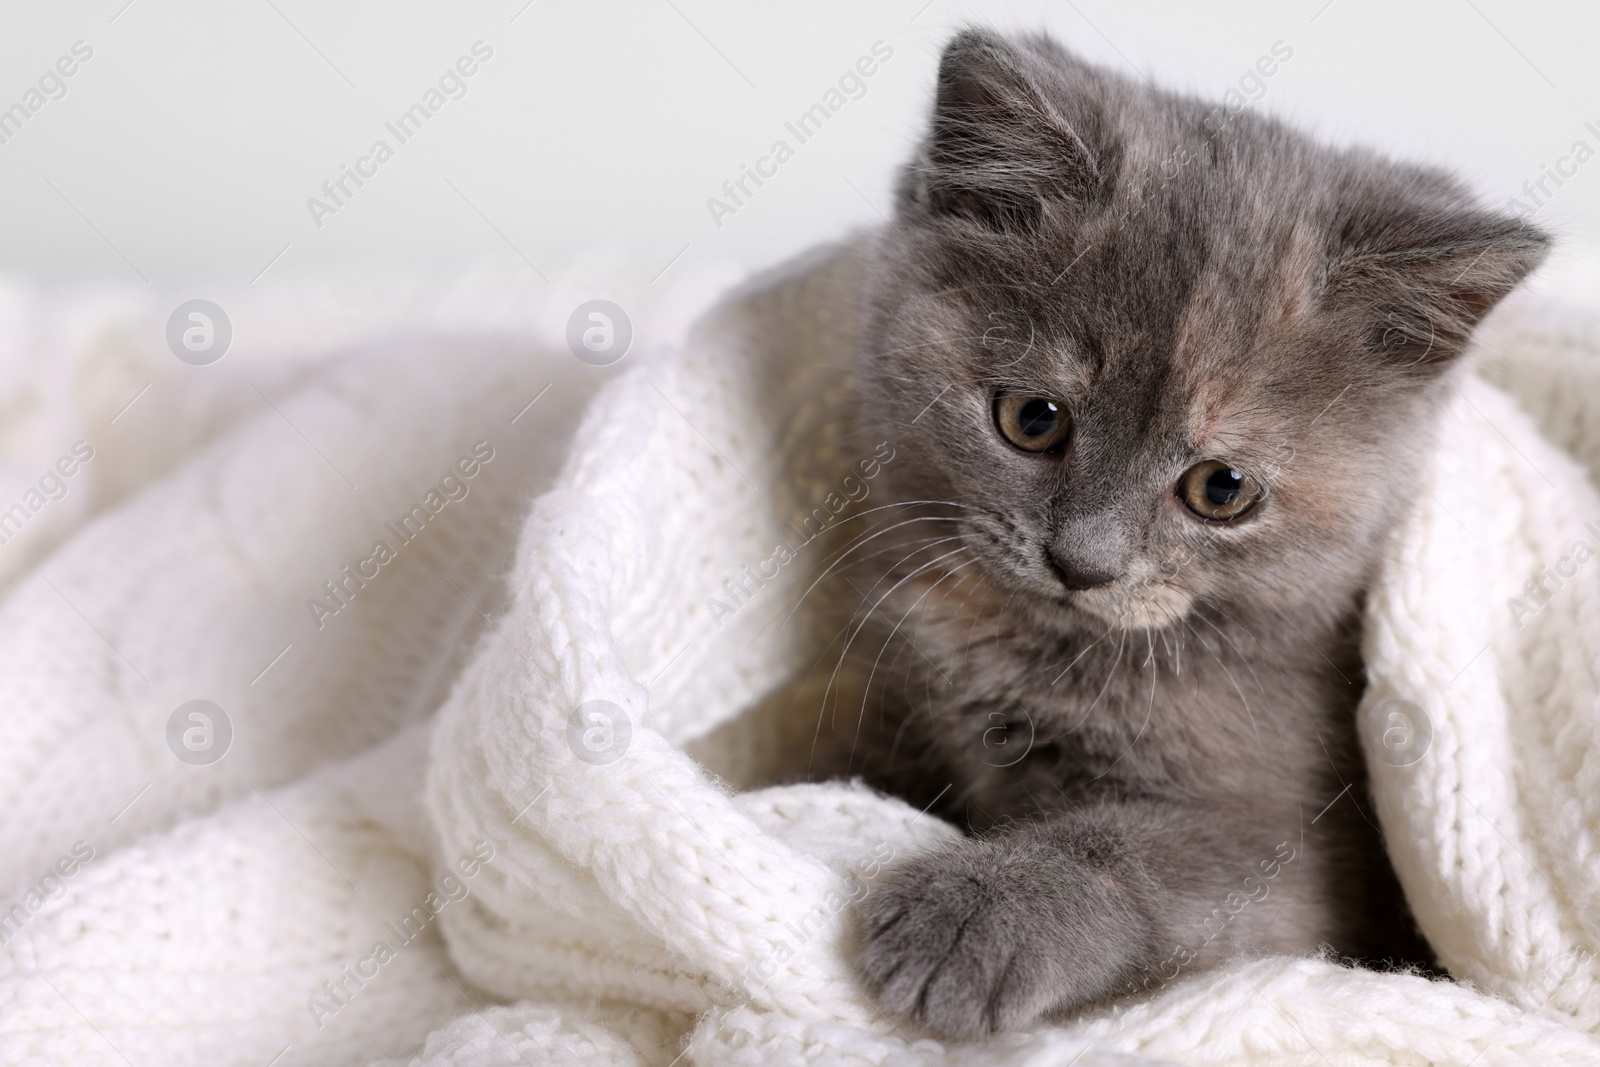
(1156,420)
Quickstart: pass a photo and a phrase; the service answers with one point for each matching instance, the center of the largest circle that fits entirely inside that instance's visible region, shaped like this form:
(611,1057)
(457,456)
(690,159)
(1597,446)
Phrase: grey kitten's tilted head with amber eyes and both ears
(1156,354)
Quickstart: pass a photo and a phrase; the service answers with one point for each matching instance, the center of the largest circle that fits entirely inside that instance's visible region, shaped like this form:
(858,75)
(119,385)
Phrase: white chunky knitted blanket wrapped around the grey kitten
(484,807)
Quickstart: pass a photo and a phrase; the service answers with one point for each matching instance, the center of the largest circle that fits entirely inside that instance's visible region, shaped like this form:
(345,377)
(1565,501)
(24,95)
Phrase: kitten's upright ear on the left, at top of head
(999,148)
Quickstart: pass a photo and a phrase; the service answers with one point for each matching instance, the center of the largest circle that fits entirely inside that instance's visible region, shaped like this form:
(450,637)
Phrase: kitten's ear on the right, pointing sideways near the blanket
(1426,274)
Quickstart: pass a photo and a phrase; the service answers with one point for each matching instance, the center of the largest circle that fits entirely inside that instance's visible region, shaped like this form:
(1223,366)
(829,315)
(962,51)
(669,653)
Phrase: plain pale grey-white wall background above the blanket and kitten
(188,146)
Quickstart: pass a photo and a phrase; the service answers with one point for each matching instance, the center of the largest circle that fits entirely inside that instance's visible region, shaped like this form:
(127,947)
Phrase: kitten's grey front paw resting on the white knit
(964,943)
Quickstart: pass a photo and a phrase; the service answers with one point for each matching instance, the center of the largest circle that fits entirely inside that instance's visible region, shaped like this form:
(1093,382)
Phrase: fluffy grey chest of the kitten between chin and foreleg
(1026,717)
